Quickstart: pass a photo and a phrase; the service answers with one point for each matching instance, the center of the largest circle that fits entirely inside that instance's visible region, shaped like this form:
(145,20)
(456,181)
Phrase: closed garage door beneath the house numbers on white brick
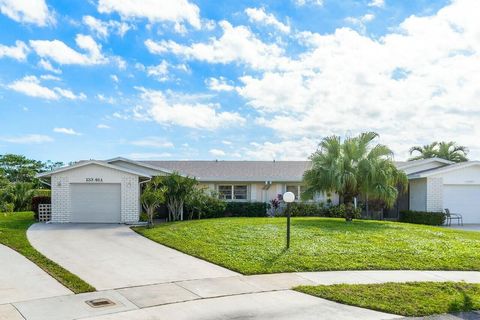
(95,203)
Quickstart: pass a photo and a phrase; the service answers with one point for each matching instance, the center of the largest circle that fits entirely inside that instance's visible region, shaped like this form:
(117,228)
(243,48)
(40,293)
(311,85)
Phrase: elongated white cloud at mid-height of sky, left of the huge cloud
(173,109)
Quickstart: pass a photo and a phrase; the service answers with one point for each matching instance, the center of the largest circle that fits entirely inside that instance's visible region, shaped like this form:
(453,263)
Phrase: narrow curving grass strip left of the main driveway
(13,233)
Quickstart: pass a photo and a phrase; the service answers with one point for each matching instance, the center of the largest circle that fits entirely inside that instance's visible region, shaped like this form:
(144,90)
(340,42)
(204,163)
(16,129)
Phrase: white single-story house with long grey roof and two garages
(109,191)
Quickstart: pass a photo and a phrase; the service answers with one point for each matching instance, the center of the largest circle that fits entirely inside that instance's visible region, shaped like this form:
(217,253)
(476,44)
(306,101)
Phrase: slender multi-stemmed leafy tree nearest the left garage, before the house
(178,190)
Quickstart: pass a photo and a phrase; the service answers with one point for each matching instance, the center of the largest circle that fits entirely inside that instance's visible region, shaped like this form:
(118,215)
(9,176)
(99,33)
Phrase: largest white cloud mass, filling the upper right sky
(414,85)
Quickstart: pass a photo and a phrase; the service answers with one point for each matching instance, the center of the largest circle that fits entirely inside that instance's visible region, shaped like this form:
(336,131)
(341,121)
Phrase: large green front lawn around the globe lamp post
(257,245)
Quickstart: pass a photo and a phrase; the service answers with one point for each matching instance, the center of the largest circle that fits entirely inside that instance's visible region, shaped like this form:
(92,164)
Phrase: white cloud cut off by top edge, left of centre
(176,11)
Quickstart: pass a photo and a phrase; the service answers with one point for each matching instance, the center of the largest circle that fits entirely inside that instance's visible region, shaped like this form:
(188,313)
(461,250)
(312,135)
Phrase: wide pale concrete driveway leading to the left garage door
(114,256)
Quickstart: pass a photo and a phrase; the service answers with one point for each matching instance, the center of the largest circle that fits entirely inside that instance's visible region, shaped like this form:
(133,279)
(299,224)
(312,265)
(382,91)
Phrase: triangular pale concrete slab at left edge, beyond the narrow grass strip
(21,279)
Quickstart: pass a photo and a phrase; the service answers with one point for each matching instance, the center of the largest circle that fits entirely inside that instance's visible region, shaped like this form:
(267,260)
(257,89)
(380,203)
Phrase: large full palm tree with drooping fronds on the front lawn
(354,167)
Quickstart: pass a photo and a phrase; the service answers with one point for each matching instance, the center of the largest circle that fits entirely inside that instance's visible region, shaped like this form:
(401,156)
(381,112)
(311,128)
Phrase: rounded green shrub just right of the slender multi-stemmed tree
(203,202)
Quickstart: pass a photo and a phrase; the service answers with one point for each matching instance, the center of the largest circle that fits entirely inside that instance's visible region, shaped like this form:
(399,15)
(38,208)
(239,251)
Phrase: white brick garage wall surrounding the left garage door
(61,201)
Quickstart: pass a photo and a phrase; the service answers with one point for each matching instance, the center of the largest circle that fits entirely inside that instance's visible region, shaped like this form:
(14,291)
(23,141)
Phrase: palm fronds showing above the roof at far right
(446,150)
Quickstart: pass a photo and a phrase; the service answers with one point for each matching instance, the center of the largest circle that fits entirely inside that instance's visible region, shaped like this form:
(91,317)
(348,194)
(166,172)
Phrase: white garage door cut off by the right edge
(463,199)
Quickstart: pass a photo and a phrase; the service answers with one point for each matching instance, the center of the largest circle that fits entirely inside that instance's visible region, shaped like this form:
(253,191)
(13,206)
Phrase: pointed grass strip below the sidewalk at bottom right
(407,299)
